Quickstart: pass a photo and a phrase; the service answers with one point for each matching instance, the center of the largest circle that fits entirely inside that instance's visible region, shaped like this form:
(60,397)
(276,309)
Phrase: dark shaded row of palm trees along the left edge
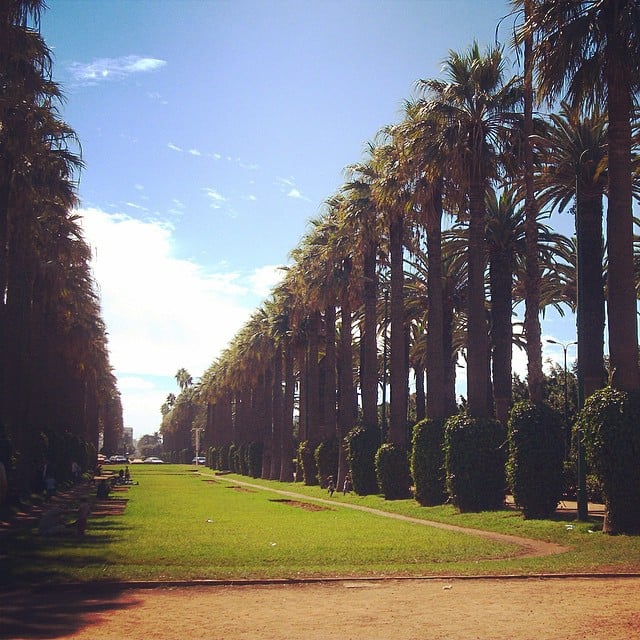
(58,391)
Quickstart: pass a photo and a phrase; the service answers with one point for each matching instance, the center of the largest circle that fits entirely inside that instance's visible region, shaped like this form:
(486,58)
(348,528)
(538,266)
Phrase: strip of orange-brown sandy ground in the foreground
(459,609)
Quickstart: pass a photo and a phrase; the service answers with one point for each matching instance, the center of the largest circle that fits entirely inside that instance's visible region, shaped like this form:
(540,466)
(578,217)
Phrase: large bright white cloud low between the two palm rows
(161,312)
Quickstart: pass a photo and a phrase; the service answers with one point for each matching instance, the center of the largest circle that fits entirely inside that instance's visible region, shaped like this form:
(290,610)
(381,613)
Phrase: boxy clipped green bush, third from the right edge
(475,462)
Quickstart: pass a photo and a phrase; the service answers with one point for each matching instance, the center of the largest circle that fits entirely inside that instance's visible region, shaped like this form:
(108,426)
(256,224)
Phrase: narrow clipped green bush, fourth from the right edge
(427,462)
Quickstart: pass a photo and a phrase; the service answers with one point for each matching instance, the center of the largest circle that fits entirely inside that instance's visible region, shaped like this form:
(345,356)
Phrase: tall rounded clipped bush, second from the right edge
(536,455)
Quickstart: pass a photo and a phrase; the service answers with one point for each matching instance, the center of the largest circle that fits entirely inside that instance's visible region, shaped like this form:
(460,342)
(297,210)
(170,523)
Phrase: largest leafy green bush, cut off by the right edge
(610,425)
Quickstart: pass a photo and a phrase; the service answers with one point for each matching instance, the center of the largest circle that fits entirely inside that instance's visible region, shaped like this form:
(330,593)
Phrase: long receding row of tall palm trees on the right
(376,276)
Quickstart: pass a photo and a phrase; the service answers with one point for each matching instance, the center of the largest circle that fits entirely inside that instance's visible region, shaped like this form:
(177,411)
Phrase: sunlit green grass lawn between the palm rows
(183,523)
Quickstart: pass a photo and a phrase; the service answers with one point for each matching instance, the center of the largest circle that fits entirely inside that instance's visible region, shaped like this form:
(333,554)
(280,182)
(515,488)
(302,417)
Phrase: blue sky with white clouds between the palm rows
(212,131)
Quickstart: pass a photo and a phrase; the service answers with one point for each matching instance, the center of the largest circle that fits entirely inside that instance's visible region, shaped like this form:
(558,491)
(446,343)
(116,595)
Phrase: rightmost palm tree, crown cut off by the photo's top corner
(591,48)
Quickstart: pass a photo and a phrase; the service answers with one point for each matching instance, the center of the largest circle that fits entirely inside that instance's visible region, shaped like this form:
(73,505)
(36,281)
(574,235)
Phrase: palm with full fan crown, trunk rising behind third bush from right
(478,109)
